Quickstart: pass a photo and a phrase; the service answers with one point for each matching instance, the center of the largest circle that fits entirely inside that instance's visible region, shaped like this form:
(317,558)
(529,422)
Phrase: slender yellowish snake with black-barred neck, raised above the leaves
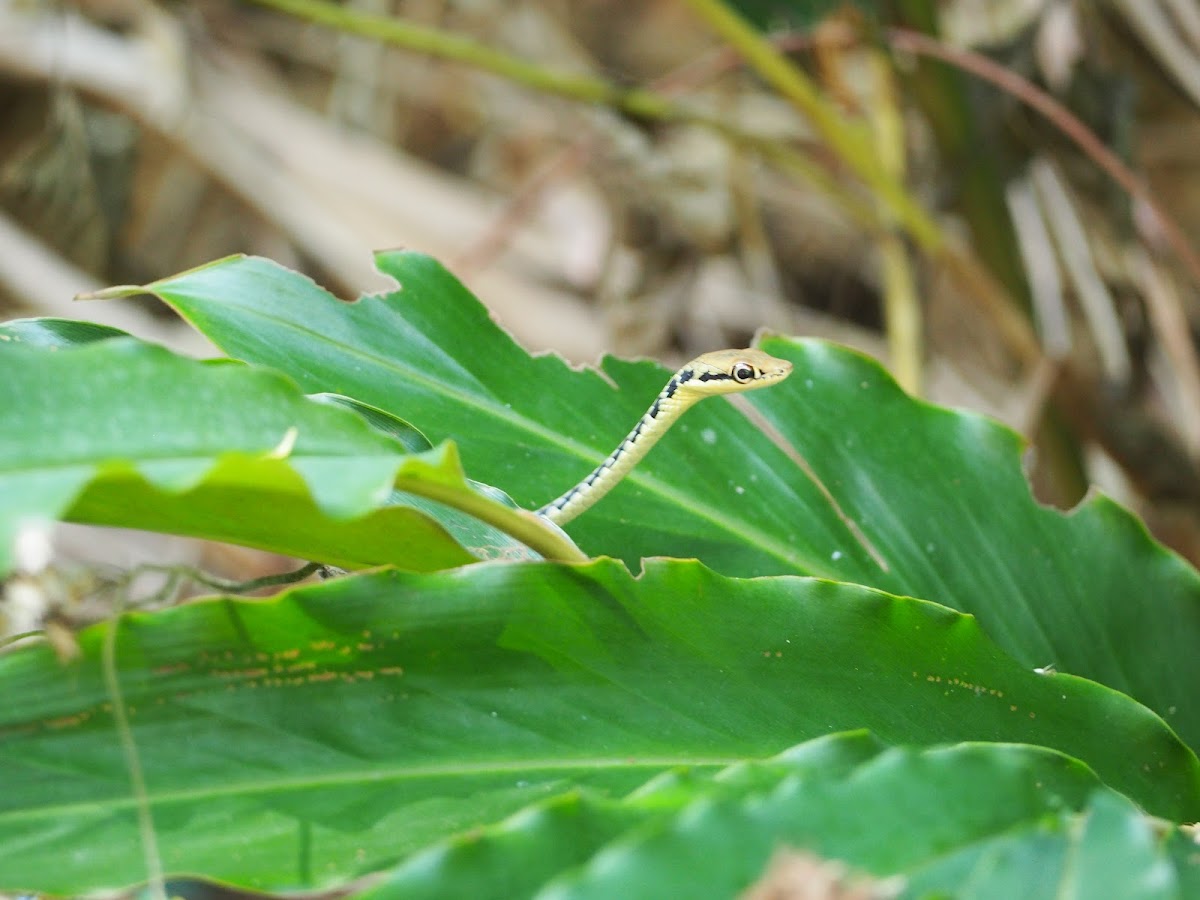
(710,375)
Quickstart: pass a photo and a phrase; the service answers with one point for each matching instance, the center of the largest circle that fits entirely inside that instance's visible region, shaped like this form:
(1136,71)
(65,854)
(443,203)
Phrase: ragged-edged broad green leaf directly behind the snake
(903,496)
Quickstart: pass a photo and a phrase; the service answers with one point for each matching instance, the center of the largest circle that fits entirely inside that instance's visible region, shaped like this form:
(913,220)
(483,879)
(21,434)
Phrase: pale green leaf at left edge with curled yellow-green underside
(124,434)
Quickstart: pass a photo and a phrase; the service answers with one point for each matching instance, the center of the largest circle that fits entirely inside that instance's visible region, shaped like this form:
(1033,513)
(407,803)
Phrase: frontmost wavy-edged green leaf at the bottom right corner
(970,821)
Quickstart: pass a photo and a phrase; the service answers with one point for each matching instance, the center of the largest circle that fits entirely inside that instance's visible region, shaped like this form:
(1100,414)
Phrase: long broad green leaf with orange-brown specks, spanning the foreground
(338,729)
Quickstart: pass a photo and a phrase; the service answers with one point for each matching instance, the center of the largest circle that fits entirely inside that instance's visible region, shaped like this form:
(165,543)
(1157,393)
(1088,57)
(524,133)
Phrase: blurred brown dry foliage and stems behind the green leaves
(1047,143)
